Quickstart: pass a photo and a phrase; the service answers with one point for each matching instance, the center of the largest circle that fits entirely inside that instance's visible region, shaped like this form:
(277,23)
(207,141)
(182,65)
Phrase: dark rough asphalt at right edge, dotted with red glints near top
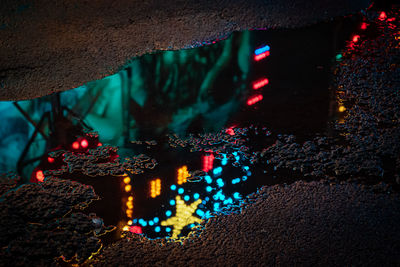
(368,145)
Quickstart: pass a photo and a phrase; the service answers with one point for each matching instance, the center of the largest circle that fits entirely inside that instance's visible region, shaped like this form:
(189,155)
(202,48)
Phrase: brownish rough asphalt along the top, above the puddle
(49,46)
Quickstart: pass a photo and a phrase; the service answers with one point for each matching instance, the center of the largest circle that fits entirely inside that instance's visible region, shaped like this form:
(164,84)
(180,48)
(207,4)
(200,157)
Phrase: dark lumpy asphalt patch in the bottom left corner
(36,225)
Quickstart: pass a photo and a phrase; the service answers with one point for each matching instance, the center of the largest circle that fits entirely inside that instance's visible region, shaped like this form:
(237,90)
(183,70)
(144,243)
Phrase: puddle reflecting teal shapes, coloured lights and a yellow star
(244,91)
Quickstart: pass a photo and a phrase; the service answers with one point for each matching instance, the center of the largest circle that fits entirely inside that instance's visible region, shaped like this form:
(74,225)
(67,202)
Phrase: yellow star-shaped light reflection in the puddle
(184,216)
